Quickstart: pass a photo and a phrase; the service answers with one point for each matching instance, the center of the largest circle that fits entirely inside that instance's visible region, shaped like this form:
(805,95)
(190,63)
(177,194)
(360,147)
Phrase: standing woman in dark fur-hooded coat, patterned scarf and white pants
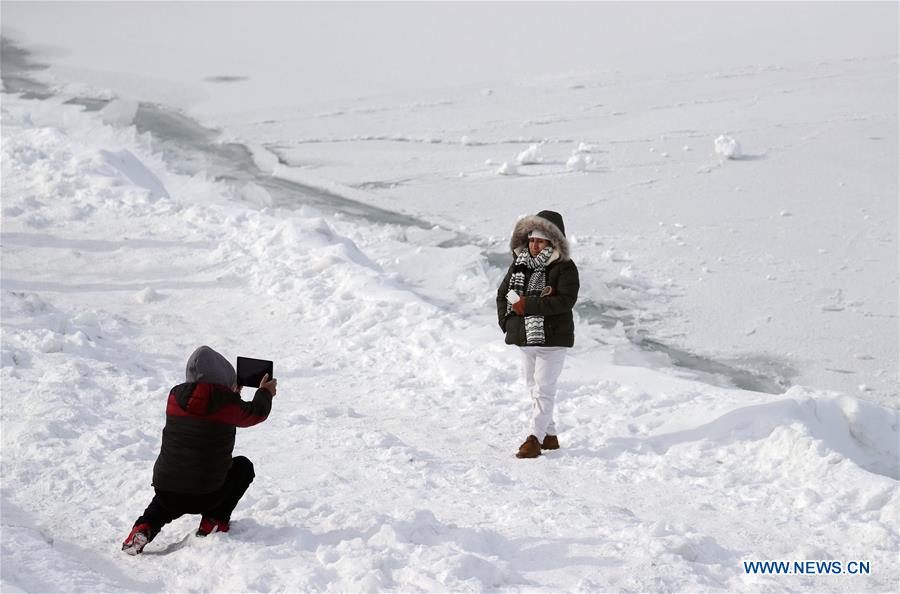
(534,308)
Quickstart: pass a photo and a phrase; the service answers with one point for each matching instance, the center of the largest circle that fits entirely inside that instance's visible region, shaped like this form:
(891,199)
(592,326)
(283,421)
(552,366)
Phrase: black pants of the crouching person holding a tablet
(218,505)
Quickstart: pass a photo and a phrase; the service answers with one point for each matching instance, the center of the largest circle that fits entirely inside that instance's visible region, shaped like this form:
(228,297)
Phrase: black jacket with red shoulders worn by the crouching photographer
(198,438)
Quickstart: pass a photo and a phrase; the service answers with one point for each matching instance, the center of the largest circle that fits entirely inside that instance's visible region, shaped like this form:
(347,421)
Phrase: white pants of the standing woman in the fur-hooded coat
(542,366)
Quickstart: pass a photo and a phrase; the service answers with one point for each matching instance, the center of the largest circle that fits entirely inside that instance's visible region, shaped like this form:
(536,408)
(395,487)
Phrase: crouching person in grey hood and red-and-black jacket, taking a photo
(195,472)
